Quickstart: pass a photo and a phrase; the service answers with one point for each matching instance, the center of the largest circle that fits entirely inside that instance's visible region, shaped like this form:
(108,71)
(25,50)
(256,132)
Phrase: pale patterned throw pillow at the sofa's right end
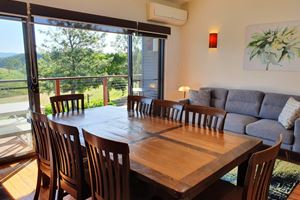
(289,113)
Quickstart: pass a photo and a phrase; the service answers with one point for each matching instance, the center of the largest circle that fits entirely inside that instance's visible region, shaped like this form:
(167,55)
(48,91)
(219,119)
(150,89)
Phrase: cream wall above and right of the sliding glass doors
(131,10)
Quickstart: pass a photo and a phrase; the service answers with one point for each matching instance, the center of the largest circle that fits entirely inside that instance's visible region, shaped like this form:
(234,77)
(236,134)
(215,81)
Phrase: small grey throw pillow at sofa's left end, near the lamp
(200,97)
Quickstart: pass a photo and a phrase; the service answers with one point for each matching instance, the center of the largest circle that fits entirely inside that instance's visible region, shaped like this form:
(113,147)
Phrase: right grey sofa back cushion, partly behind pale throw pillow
(273,104)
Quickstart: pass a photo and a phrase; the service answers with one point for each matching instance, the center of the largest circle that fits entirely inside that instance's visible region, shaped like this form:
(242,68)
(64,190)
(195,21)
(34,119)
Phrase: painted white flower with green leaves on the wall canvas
(273,47)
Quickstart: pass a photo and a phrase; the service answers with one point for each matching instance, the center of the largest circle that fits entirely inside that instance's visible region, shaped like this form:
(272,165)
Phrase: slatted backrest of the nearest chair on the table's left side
(108,166)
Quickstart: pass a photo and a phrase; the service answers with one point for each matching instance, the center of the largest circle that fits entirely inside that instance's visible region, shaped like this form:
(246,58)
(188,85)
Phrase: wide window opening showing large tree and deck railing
(84,58)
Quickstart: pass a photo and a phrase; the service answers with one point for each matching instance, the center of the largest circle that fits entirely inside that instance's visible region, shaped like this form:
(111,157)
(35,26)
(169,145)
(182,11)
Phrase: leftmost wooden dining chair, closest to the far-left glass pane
(45,159)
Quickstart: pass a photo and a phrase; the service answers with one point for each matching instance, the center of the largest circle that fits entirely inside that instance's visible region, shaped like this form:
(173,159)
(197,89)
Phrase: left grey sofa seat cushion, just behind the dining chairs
(237,123)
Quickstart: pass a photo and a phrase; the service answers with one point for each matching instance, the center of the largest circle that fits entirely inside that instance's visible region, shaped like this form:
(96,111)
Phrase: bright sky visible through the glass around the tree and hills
(11,37)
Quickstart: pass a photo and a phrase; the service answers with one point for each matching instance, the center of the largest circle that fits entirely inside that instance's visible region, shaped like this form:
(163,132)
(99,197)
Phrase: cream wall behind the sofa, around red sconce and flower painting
(224,67)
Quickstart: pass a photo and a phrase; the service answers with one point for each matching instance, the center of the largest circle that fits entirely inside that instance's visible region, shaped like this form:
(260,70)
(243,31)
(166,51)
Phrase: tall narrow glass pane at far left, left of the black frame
(15,128)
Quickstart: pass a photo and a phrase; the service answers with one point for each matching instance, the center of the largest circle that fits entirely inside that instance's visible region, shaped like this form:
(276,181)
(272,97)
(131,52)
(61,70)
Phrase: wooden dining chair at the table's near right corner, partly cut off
(257,180)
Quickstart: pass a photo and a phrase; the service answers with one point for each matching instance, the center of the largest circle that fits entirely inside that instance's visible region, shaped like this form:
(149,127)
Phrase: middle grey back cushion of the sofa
(245,102)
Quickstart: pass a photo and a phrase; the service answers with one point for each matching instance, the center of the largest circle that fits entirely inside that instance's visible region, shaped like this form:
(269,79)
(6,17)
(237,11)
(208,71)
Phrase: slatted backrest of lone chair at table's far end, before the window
(66,103)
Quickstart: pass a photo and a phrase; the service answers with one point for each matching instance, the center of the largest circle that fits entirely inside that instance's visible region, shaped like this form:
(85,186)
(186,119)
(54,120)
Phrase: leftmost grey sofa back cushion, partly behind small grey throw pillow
(218,97)
